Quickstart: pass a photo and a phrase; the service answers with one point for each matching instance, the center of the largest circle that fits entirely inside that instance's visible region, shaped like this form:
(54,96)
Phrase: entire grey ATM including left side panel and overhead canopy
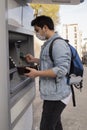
(17,92)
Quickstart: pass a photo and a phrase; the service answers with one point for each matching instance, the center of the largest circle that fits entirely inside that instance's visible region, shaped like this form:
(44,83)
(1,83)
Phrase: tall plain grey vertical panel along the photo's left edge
(4,70)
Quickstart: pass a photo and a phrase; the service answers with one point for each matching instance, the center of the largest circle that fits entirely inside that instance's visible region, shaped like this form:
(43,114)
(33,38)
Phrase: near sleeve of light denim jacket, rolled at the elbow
(62,57)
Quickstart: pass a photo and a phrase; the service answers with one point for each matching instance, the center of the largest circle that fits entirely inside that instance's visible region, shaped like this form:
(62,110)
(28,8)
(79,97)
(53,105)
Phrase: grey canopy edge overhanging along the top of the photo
(71,2)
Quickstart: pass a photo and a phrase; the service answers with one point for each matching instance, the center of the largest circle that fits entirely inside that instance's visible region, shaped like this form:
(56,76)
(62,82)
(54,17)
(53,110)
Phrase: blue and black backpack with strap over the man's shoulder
(75,75)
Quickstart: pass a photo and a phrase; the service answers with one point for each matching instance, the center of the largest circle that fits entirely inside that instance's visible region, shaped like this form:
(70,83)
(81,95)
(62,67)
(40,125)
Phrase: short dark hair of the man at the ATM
(42,20)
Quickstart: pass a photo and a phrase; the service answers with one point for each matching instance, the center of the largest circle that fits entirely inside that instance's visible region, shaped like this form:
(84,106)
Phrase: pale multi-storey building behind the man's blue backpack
(72,32)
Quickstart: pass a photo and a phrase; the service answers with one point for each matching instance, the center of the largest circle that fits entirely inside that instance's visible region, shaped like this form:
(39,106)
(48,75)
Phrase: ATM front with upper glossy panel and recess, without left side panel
(22,88)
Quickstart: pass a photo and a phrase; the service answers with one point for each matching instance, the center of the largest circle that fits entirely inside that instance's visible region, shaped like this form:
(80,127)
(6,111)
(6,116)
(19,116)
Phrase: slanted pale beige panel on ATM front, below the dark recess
(22,105)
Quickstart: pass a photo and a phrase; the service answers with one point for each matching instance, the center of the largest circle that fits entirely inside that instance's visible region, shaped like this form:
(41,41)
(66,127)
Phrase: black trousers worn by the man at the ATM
(51,115)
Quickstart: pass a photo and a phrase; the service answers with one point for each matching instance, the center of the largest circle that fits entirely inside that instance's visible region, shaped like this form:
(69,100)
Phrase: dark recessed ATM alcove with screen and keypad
(19,45)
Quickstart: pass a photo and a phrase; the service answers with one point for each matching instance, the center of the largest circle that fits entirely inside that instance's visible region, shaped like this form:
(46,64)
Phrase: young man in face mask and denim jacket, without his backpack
(54,89)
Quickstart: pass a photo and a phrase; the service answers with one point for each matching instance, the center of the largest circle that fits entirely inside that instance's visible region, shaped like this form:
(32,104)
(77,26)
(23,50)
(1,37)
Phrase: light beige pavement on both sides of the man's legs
(73,118)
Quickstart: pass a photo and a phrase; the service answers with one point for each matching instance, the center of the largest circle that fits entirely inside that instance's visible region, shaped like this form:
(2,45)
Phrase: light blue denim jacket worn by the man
(55,88)
